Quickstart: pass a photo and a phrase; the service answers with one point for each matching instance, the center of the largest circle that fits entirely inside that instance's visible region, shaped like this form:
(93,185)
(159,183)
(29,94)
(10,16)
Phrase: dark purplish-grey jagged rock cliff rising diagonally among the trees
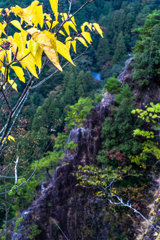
(66,211)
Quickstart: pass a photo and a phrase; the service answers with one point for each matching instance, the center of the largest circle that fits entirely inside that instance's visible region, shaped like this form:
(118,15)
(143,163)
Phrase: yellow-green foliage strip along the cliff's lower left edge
(43,170)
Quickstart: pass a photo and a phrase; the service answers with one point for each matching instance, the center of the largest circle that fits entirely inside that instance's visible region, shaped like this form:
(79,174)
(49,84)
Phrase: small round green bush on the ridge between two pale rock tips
(113,85)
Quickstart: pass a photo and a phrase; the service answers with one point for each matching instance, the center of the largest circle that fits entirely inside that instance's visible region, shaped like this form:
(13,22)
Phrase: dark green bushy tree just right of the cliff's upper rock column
(117,130)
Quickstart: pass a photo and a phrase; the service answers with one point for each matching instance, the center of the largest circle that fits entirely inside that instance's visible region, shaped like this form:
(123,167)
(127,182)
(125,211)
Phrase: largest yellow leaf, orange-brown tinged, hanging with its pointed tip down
(47,42)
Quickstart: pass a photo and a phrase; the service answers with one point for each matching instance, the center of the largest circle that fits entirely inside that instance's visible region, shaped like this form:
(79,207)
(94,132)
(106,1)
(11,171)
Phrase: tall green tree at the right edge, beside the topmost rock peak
(146,50)
